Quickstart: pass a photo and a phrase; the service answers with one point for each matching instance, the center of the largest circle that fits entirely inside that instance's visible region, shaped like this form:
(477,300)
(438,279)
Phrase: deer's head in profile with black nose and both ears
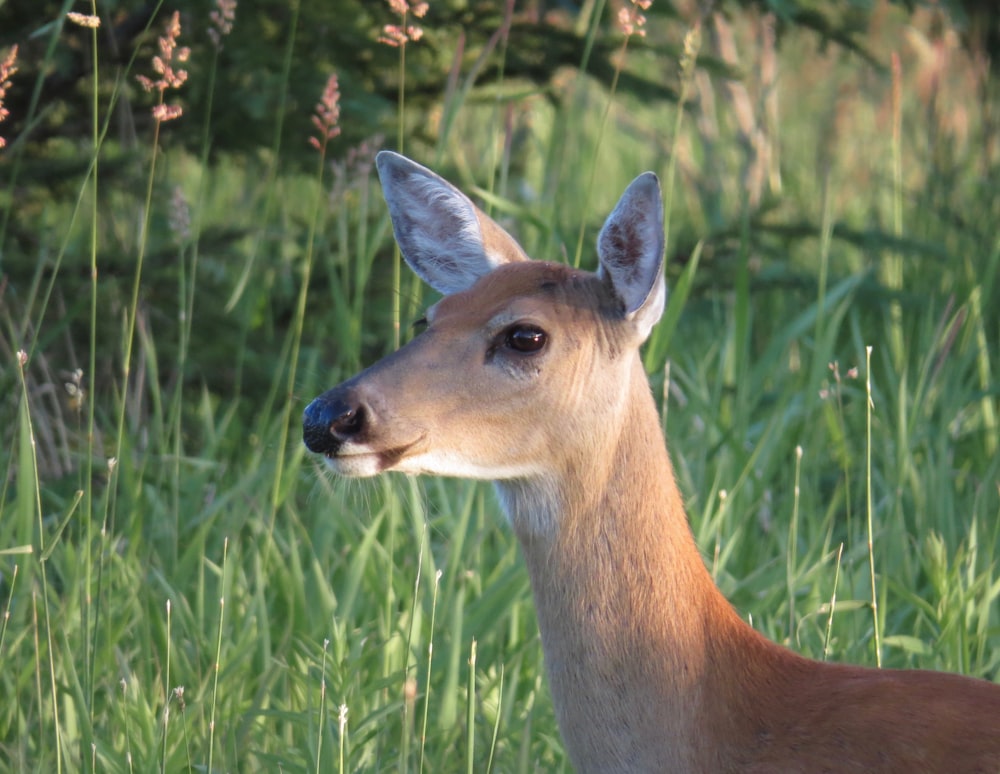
(509,355)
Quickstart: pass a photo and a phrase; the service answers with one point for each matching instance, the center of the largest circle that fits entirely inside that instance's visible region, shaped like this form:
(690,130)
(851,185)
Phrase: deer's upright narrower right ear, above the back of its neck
(630,251)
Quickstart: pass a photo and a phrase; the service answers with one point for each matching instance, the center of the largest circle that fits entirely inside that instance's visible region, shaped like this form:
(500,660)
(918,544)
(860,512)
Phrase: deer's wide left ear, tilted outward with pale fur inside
(448,241)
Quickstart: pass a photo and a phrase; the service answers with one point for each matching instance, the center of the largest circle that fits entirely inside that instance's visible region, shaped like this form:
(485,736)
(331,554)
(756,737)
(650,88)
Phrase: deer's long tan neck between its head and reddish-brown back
(632,626)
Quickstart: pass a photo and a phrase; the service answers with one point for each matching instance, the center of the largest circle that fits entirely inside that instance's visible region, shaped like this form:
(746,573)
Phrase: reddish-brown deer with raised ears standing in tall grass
(527,374)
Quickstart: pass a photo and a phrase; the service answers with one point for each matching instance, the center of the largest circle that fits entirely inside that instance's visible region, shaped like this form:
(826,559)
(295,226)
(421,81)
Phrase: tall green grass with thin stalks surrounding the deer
(216,600)
